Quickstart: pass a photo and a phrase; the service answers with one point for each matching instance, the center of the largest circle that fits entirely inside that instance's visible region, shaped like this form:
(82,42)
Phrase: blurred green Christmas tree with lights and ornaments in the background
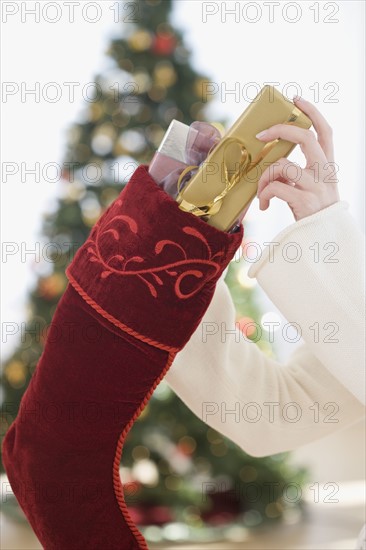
(169,453)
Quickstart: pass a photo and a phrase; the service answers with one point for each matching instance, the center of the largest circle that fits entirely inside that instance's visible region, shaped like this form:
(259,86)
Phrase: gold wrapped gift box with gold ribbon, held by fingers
(227,181)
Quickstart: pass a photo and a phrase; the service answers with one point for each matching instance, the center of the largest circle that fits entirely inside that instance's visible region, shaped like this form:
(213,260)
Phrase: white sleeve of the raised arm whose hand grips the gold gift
(323,290)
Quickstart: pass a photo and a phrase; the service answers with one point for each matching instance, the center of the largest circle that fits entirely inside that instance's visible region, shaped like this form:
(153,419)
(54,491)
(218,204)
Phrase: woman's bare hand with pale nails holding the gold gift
(306,190)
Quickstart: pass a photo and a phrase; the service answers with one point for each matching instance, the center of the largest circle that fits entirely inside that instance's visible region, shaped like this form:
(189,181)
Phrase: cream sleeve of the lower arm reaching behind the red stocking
(261,405)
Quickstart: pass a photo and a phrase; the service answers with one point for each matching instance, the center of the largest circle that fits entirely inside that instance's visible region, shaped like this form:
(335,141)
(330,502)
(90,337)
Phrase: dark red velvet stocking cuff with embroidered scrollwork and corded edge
(149,267)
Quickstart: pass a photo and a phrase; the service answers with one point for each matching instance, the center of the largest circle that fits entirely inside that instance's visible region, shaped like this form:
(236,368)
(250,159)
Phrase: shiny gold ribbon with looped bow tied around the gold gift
(245,165)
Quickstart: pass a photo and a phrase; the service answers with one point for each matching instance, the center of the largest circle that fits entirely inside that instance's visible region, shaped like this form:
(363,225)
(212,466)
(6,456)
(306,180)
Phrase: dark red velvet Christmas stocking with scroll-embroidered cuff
(138,288)
